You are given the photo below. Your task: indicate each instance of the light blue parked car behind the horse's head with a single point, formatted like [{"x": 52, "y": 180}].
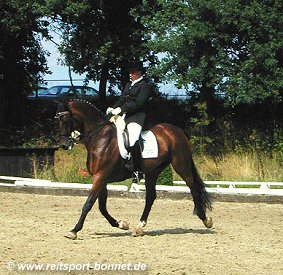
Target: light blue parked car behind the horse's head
[{"x": 67, "y": 92}]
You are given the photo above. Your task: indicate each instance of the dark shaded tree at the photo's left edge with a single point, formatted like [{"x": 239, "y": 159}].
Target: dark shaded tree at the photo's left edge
[{"x": 21, "y": 56}]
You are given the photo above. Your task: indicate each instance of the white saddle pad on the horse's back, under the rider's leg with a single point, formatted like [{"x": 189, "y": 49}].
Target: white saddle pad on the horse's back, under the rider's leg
[{"x": 149, "y": 140}]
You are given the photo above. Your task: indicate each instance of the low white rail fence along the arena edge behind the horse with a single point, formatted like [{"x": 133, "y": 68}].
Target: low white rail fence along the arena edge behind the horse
[{"x": 219, "y": 187}]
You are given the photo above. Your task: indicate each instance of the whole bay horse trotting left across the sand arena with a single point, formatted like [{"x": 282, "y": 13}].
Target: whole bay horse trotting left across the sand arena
[{"x": 81, "y": 120}]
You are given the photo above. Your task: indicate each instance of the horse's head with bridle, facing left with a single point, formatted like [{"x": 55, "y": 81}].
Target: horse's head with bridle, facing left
[{"x": 70, "y": 127}]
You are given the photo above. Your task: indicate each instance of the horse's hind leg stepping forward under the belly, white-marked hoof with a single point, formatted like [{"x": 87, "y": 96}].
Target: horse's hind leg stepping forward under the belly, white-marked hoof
[{"x": 150, "y": 181}]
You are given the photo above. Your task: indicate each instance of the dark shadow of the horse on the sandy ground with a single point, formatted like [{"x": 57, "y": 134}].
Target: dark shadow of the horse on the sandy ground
[{"x": 153, "y": 233}]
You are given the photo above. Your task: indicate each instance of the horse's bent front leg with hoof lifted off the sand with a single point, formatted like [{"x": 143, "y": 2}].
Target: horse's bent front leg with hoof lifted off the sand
[{"x": 102, "y": 200}]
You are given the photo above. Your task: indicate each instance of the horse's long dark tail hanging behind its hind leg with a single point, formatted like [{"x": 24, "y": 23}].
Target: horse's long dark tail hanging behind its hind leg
[{"x": 201, "y": 198}]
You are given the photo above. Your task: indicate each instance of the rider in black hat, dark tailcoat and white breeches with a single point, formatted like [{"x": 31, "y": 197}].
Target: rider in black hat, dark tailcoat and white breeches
[{"x": 133, "y": 103}]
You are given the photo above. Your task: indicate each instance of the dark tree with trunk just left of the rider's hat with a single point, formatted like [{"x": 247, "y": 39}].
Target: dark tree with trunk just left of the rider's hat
[{"x": 99, "y": 37}]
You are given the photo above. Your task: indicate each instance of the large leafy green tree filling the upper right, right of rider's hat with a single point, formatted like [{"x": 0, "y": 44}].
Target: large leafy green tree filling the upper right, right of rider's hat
[{"x": 209, "y": 47}]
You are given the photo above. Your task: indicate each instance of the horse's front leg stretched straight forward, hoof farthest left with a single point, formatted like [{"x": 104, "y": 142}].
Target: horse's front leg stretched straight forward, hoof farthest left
[{"x": 94, "y": 193}]
